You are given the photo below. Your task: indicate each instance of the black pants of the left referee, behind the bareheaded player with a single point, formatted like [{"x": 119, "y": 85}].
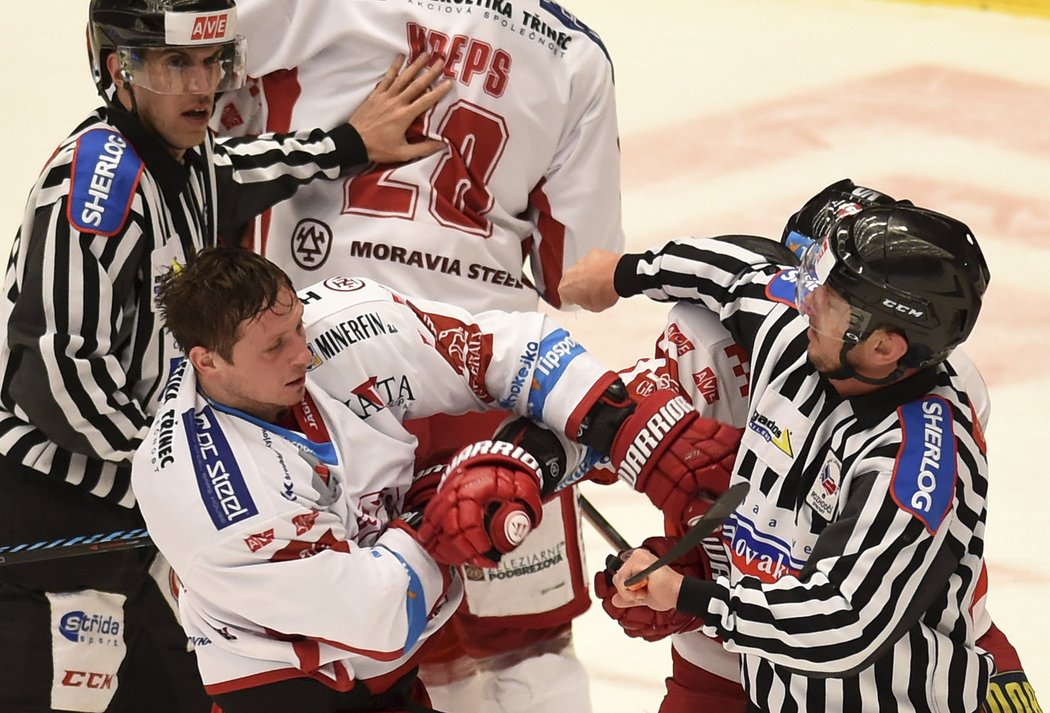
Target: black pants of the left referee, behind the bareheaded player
[{"x": 158, "y": 674}]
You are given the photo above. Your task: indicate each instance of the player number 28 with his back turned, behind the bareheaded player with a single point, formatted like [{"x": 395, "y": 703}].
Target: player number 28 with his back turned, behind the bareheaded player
[{"x": 531, "y": 183}]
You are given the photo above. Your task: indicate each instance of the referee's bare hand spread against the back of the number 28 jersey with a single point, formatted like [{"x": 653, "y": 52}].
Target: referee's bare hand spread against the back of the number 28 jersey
[{"x": 401, "y": 97}]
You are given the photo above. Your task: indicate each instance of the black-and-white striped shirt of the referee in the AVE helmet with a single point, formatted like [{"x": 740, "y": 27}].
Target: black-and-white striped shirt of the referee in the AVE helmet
[{"x": 83, "y": 352}]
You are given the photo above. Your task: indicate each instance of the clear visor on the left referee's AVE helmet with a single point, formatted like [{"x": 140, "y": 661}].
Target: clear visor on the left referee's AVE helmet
[{"x": 201, "y": 70}]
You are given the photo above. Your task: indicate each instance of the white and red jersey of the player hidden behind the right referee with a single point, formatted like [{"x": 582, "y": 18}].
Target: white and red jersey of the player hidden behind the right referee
[{"x": 699, "y": 358}]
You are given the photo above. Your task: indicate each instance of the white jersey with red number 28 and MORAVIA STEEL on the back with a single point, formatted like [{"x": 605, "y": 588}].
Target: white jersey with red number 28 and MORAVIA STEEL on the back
[{"x": 532, "y": 170}]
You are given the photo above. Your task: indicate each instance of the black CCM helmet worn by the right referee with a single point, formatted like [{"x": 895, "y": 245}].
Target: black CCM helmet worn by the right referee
[{"x": 912, "y": 270}]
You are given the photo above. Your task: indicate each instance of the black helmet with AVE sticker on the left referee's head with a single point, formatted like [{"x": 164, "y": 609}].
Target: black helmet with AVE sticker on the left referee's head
[{"x": 144, "y": 25}]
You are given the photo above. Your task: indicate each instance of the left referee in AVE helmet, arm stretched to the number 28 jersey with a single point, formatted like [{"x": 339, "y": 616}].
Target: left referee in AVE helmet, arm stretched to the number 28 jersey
[{"x": 138, "y": 184}]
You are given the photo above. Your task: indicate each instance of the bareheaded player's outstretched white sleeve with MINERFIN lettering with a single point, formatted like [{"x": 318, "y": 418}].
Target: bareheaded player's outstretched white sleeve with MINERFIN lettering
[{"x": 376, "y": 350}]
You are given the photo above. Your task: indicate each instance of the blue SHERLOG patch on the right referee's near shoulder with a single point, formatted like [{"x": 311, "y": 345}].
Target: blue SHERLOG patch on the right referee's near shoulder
[{"x": 925, "y": 476}]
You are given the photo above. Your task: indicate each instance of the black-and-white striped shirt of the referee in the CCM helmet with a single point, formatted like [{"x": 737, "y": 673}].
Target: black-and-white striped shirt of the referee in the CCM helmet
[{"x": 856, "y": 556}]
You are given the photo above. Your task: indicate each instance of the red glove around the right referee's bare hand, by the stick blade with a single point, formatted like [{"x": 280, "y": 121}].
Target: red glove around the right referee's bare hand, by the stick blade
[{"x": 643, "y": 622}]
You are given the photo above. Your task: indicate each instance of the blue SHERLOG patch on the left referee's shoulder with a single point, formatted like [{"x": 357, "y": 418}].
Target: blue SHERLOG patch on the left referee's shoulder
[{"x": 104, "y": 178}]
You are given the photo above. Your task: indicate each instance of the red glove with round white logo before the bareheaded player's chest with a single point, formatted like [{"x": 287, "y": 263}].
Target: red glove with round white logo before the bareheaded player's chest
[{"x": 488, "y": 502}]
